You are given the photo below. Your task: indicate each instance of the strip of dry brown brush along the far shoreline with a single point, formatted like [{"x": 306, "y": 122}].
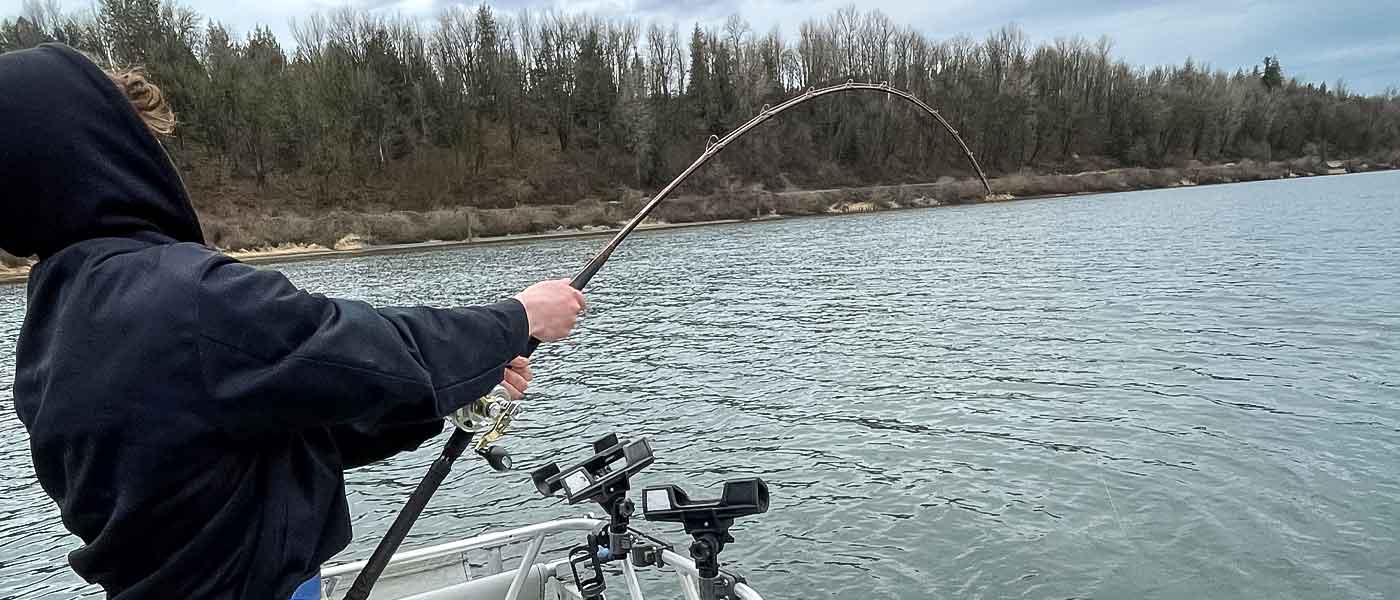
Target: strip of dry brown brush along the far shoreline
[{"x": 246, "y": 229}]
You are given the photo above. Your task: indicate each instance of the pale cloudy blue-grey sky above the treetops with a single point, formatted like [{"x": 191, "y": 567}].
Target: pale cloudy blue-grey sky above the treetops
[{"x": 1317, "y": 41}]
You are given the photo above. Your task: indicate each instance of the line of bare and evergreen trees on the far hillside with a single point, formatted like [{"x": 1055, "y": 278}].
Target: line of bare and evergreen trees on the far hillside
[{"x": 486, "y": 108}]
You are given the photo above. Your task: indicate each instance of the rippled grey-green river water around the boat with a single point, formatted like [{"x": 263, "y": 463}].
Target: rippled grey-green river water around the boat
[{"x": 1175, "y": 395}]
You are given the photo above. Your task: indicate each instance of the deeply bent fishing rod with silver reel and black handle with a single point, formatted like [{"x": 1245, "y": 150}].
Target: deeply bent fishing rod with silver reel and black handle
[{"x": 491, "y": 417}]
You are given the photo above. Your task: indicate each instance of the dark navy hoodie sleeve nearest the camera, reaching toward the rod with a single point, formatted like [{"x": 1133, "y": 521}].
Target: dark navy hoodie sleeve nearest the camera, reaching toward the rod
[{"x": 276, "y": 359}]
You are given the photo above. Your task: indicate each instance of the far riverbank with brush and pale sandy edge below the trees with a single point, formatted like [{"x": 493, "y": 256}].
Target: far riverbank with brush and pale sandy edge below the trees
[{"x": 293, "y": 238}]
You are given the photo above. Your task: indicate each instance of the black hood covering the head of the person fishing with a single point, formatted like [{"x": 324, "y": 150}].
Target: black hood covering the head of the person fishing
[{"x": 76, "y": 162}]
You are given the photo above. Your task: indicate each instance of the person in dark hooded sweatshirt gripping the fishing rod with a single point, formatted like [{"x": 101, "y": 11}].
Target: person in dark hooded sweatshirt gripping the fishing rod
[{"x": 194, "y": 416}]
